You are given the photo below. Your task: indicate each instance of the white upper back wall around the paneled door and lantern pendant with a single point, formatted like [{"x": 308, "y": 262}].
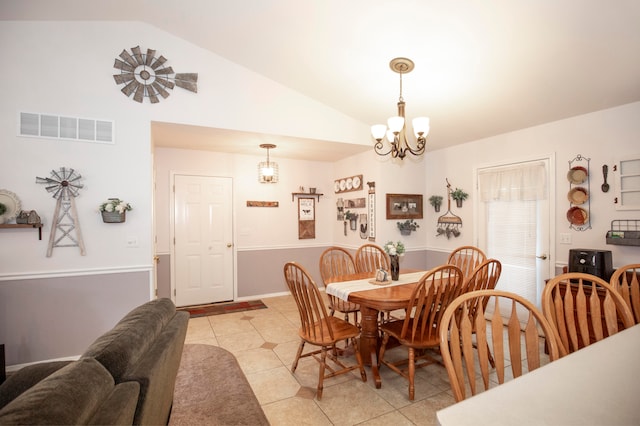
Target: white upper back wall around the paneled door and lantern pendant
[{"x": 255, "y": 227}]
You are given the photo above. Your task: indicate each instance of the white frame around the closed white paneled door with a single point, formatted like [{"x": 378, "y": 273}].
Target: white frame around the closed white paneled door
[{"x": 172, "y": 228}]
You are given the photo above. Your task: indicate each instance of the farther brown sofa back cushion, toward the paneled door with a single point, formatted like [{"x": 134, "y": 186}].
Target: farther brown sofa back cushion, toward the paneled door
[{"x": 132, "y": 336}]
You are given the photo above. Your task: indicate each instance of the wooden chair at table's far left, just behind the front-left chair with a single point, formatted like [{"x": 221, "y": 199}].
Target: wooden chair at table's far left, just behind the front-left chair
[{"x": 336, "y": 262}]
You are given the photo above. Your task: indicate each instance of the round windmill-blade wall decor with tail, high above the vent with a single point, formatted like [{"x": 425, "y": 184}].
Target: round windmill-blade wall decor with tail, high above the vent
[{"x": 146, "y": 76}]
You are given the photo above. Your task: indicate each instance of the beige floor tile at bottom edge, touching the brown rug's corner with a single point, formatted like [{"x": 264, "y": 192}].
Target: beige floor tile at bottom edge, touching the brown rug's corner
[{"x": 294, "y": 412}]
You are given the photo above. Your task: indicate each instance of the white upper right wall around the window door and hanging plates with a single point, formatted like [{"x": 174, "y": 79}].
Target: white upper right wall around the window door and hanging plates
[{"x": 602, "y": 136}]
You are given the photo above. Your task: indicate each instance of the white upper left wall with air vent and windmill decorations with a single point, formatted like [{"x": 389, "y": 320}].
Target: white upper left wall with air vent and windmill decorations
[{"x": 66, "y": 68}]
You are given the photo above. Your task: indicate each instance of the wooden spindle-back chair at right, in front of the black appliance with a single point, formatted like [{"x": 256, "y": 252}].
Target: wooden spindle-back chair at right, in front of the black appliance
[{"x": 583, "y": 309}]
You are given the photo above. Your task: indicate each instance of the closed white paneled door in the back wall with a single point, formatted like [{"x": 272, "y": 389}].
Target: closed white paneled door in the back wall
[{"x": 203, "y": 240}]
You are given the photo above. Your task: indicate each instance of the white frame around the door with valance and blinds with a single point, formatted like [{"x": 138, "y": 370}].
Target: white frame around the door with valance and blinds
[{"x": 551, "y": 158}]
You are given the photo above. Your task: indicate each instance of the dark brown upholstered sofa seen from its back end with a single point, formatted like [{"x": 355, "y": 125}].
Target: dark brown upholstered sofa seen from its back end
[{"x": 127, "y": 376}]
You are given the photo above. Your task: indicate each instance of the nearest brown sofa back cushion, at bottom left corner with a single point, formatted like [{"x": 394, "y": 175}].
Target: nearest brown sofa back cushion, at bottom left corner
[{"x": 73, "y": 395}]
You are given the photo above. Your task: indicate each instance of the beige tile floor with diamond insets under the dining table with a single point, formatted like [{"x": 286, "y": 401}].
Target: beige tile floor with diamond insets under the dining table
[{"x": 265, "y": 343}]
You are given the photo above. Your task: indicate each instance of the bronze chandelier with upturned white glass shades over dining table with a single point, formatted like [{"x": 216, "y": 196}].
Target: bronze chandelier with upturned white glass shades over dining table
[{"x": 396, "y": 131}]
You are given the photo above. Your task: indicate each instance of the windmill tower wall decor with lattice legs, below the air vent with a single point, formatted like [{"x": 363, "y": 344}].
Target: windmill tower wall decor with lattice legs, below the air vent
[{"x": 64, "y": 185}]
